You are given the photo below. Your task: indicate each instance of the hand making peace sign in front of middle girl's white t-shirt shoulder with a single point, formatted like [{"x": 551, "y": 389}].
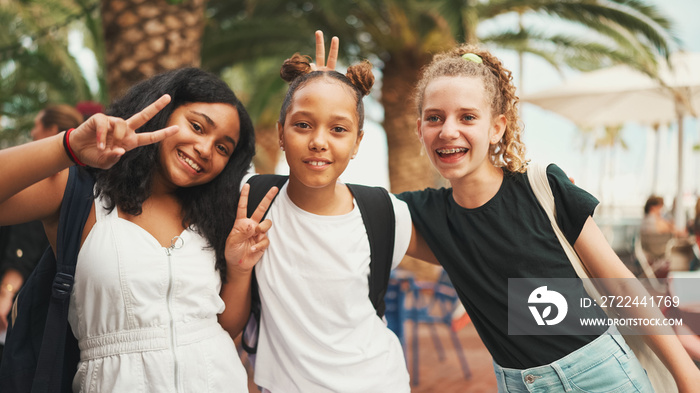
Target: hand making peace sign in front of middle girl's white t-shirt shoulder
[{"x": 248, "y": 238}]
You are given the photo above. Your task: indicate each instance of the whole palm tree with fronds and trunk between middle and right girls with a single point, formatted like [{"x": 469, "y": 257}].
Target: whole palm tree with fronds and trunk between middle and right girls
[{"x": 401, "y": 37}]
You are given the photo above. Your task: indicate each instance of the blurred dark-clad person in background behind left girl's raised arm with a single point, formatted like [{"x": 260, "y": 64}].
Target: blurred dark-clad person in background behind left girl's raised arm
[{"x": 21, "y": 246}]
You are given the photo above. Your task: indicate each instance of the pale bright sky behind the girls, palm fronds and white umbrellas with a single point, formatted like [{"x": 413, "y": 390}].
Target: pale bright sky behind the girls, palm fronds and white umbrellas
[{"x": 625, "y": 182}]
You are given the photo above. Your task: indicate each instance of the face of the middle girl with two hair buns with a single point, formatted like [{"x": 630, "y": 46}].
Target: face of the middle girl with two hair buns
[{"x": 320, "y": 133}]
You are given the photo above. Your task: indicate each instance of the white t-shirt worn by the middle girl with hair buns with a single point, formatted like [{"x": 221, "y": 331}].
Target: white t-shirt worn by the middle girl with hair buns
[{"x": 319, "y": 330}]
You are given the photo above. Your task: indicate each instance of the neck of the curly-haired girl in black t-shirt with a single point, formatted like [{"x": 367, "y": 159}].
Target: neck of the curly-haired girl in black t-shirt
[{"x": 478, "y": 188}]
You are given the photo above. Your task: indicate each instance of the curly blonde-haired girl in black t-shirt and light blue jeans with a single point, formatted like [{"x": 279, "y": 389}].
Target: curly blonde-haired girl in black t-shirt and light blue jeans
[{"x": 489, "y": 227}]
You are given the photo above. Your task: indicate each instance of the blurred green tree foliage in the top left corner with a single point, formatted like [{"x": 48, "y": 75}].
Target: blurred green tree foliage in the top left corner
[{"x": 35, "y": 63}]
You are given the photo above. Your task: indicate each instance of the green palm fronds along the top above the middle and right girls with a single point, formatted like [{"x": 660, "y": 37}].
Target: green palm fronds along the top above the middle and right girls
[{"x": 582, "y": 34}]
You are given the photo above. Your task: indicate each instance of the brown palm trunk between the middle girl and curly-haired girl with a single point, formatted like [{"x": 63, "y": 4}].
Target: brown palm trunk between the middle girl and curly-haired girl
[{"x": 409, "y": 167}]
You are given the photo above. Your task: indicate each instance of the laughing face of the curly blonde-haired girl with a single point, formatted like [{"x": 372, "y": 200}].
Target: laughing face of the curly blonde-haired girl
[{"x": 457, "y": 127}]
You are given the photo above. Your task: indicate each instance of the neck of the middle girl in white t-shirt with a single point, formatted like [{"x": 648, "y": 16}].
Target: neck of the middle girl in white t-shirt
[{"x": 331, "y": 200}]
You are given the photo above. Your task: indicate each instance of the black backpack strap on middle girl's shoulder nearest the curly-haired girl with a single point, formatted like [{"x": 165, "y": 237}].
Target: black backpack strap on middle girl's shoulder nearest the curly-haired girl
[{"x": 380, "y": 222}]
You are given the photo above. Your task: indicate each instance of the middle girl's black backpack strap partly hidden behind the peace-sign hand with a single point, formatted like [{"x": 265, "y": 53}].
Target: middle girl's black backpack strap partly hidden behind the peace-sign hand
[{"x": 259, "y": 186}]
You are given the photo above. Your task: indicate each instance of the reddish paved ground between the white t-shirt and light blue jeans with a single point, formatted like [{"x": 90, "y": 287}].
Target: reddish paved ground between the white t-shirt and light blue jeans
[{"x": 446, "y": 376}]
